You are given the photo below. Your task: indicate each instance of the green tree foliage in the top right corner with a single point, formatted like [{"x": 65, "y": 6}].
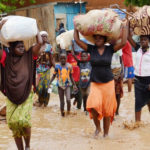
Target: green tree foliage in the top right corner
[{"x": 137, "y": 2}]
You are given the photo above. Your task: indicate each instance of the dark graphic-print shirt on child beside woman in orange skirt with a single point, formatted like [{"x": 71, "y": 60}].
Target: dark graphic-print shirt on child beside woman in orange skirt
[{"x": 85, "y": 72}]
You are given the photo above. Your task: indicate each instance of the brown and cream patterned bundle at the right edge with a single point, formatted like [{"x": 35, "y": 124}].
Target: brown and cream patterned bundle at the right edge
[{"x": 140, "y": 23}]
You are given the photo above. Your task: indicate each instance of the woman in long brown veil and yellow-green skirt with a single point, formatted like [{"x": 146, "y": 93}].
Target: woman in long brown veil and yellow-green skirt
[{"x": 17, "y": 86}]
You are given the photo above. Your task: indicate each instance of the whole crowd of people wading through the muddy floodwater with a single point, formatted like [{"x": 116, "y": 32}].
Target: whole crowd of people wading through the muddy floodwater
[{"x": 94, "y": 76}]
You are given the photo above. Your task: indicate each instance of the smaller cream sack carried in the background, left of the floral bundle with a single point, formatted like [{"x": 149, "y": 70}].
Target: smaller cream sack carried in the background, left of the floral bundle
[{"x": 65, "y": 39}]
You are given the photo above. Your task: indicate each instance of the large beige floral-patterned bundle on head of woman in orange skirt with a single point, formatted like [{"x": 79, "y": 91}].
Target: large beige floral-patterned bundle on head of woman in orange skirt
[{"x": 103, "y": 22}]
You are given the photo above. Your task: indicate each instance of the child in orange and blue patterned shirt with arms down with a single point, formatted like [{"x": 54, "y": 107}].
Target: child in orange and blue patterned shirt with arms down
[{"x": 63, "y": 71}]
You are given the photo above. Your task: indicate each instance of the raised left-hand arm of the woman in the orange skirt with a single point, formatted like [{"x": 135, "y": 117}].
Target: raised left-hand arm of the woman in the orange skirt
[{"x": 78, "y": 41}]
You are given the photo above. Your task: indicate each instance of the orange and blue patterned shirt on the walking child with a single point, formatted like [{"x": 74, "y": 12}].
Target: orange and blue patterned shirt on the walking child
[{"x": 63, "y": 75}]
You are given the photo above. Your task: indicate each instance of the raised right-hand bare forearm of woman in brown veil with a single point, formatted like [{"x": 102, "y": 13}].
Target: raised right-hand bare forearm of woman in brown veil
[{"x": 37, "y": 46}]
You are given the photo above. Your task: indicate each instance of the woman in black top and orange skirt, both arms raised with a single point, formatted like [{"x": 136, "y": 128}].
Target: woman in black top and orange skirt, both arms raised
[{"x": 101, "y": 102}]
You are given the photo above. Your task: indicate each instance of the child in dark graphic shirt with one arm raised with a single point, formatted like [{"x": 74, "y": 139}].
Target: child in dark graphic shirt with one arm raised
[{"x": 85, "y": 72}]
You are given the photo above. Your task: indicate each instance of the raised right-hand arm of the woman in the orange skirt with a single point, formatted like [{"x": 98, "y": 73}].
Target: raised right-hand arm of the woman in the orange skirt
[{"x": 124, "y": 36}]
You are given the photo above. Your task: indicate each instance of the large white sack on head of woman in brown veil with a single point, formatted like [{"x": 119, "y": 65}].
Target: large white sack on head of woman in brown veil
[{"x": 18, "y": 28}]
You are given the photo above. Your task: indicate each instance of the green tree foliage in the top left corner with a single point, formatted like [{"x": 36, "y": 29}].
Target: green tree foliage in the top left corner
[{"x": 9, "y": 5}]
